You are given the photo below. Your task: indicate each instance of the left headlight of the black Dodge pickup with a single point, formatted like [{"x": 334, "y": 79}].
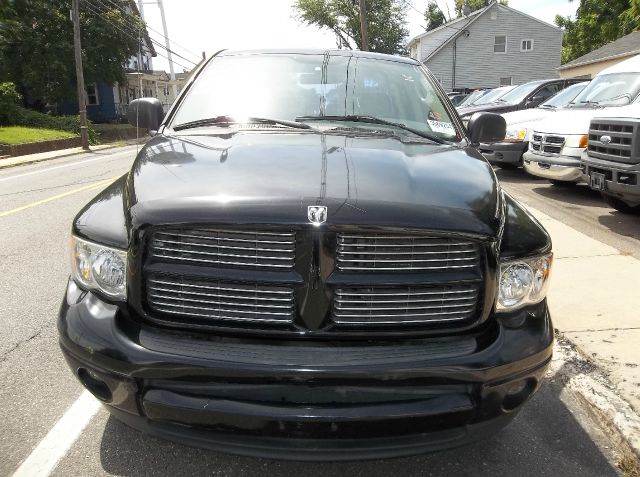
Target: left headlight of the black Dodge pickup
[{"x": 96, "y": 267}]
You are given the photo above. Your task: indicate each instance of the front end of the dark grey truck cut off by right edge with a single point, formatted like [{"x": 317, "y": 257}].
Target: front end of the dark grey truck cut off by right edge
[{"x": 612, "y": 165}]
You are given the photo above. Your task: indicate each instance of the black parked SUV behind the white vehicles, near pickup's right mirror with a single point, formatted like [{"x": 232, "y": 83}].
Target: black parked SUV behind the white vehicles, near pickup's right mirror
[{"x": 528, "y": 95}]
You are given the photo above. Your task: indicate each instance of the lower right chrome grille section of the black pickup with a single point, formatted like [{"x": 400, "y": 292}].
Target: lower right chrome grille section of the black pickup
[{"x": 405, "y": 305}]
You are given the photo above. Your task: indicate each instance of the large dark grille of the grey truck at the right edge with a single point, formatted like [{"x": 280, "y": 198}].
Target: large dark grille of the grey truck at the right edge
[{"x": 619, "y": 143}]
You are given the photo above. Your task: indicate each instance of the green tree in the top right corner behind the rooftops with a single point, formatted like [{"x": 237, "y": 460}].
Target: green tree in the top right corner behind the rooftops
[{"x": 597, "y": 23}]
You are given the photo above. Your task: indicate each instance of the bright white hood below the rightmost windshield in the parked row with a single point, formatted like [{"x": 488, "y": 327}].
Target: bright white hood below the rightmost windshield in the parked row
[{"x": 576, "y": 121}]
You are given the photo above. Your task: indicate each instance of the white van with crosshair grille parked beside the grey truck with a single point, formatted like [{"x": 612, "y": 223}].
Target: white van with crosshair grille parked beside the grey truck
[{"x": 557, "y": 142}]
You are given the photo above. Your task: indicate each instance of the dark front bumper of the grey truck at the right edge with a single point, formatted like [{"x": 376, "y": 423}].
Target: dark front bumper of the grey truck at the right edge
[{"x": 620, "y": 180}]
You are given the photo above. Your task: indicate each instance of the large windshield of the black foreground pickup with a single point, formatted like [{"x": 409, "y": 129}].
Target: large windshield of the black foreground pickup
[{"x": 324, "y": 90}]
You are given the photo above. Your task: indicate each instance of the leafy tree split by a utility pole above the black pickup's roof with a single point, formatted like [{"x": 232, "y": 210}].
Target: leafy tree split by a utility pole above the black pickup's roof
[{"x": 385, "y": 18}]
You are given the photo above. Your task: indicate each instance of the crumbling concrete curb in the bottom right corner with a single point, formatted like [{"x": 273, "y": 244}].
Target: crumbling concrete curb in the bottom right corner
[{"x": 590, "y": 385}]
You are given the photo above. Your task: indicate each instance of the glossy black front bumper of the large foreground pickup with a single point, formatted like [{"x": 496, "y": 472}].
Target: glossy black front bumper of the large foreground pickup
[{"x": 306, "y": 401}]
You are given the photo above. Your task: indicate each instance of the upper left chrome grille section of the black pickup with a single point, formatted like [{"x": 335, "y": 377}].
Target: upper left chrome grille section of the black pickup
[{"x": 260, "y": 250}]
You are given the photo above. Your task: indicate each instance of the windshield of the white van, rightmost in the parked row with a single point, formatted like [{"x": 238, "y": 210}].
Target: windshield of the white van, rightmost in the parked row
[{"x": 616, "y": 89}]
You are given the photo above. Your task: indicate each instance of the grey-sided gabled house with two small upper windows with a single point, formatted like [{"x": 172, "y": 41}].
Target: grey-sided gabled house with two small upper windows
[{"x": 494, "y": 46}]
